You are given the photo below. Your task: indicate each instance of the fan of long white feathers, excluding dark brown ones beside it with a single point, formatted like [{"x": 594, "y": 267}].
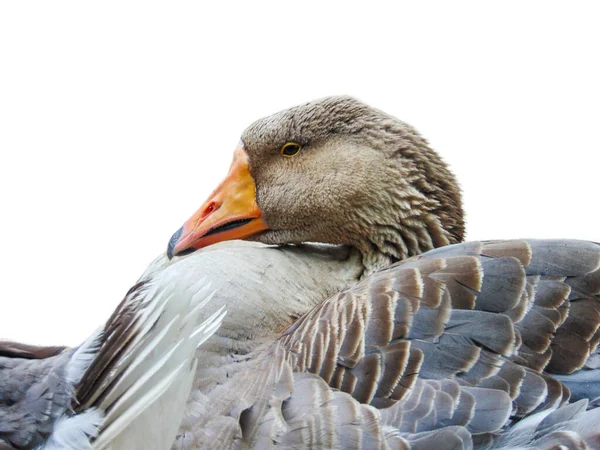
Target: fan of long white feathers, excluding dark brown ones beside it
[{"x": 147, "y": 402}]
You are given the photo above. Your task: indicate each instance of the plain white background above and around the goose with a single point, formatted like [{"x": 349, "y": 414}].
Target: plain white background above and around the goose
[{"x": 117, "y": 119}]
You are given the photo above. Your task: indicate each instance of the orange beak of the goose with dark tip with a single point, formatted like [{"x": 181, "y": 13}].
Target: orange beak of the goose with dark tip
[{"x": 231, "y": 212}]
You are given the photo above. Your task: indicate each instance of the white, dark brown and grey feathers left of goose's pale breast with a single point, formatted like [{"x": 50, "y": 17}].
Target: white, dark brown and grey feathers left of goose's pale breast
[{"x": 123, "y": 388}]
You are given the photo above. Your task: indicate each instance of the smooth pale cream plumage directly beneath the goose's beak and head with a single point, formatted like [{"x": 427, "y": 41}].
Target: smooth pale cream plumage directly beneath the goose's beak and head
[{"x": 251, "y": 278}]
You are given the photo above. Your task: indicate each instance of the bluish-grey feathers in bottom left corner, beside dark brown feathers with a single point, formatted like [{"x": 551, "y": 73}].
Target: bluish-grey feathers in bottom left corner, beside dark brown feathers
[{"x": 36, "y": 392}]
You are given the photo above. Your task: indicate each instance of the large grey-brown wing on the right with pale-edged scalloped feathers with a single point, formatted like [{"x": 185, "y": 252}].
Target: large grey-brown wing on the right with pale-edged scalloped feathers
[{"x": 451, "y": 349}]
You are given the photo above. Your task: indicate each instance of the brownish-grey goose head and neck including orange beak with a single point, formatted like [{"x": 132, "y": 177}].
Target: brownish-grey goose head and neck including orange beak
[{"x": 334, "y": 171}]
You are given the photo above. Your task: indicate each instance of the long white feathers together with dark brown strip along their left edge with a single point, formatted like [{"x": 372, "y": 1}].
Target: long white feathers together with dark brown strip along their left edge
[{"x": 146, "y": 362}]
